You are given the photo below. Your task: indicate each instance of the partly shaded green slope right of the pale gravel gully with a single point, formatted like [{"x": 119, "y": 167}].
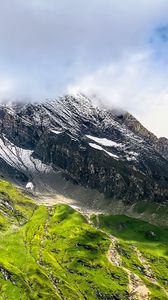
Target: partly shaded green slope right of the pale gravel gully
[{"x": 139, "y": 241}]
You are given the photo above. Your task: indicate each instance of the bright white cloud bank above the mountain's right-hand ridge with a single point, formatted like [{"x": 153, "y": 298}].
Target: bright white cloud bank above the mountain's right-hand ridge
[{"x": 134, "y": 83}]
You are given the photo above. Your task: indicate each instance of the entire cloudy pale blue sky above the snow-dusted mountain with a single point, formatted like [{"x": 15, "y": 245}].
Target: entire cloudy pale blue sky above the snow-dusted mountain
[{"x": 114, "y": 49}]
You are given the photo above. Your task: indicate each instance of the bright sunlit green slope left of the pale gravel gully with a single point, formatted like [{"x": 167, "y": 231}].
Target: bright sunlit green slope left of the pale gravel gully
[{"x": 53, "y": 253}]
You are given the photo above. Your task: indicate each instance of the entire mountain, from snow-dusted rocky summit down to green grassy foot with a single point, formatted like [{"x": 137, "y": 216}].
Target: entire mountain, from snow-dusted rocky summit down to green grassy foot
[{"x": 107, "y": 167}]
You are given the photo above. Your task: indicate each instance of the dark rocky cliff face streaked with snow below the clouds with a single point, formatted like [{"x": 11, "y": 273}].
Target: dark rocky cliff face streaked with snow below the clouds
[{"x": 115, "y": 155}]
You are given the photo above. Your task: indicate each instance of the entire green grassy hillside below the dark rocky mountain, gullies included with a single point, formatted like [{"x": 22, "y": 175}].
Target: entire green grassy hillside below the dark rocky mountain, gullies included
[{"x": 54, "y": 253}]
